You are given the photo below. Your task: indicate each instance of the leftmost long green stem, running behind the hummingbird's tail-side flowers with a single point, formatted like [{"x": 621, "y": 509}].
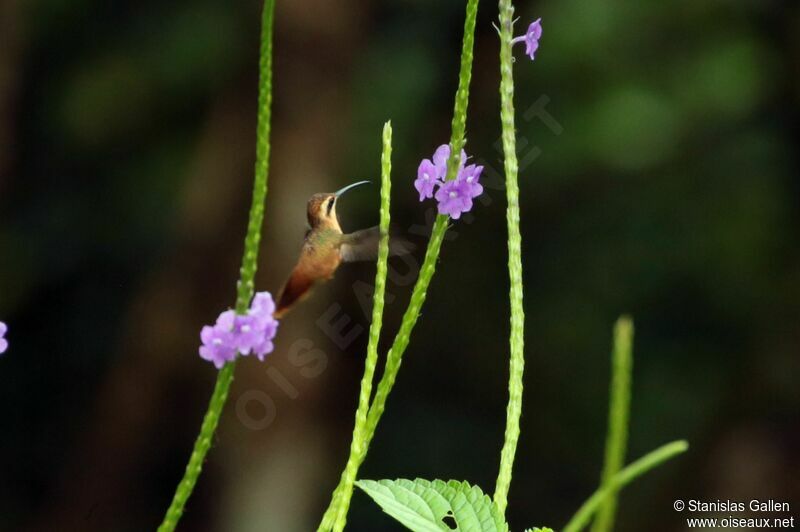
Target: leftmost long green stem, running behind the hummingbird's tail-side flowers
[{"x": 246, "y": 285}]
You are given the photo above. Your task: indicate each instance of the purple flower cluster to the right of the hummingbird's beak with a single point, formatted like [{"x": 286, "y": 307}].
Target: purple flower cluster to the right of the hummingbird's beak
[{"x": 454, "y": 196}]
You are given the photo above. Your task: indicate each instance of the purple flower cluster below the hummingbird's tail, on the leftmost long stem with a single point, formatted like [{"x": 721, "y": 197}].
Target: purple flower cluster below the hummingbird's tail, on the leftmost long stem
[{"x": 249, "y": 333}]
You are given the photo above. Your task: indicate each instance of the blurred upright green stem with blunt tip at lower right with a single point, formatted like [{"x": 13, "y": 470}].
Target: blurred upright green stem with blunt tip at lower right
[{"x": 618, "y": 414}]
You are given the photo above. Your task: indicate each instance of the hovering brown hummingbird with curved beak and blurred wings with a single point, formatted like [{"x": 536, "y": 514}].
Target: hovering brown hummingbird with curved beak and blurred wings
[{"x": 325, "y": 247}]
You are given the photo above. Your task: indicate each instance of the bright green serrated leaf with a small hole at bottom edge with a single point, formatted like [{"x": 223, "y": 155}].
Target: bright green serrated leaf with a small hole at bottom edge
[{"x": 436, "y": 506}]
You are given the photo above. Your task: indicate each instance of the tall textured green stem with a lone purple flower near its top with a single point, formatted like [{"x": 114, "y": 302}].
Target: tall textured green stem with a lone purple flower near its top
[{"x": 516, "y": 338}]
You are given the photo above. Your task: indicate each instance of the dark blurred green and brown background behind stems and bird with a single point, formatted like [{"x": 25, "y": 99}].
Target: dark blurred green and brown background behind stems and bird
[{"x": 659, "y": 159}]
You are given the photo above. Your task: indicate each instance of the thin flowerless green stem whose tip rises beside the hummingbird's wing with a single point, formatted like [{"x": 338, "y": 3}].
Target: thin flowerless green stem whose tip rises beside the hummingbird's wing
[{"x": 358, "y": 446}]
